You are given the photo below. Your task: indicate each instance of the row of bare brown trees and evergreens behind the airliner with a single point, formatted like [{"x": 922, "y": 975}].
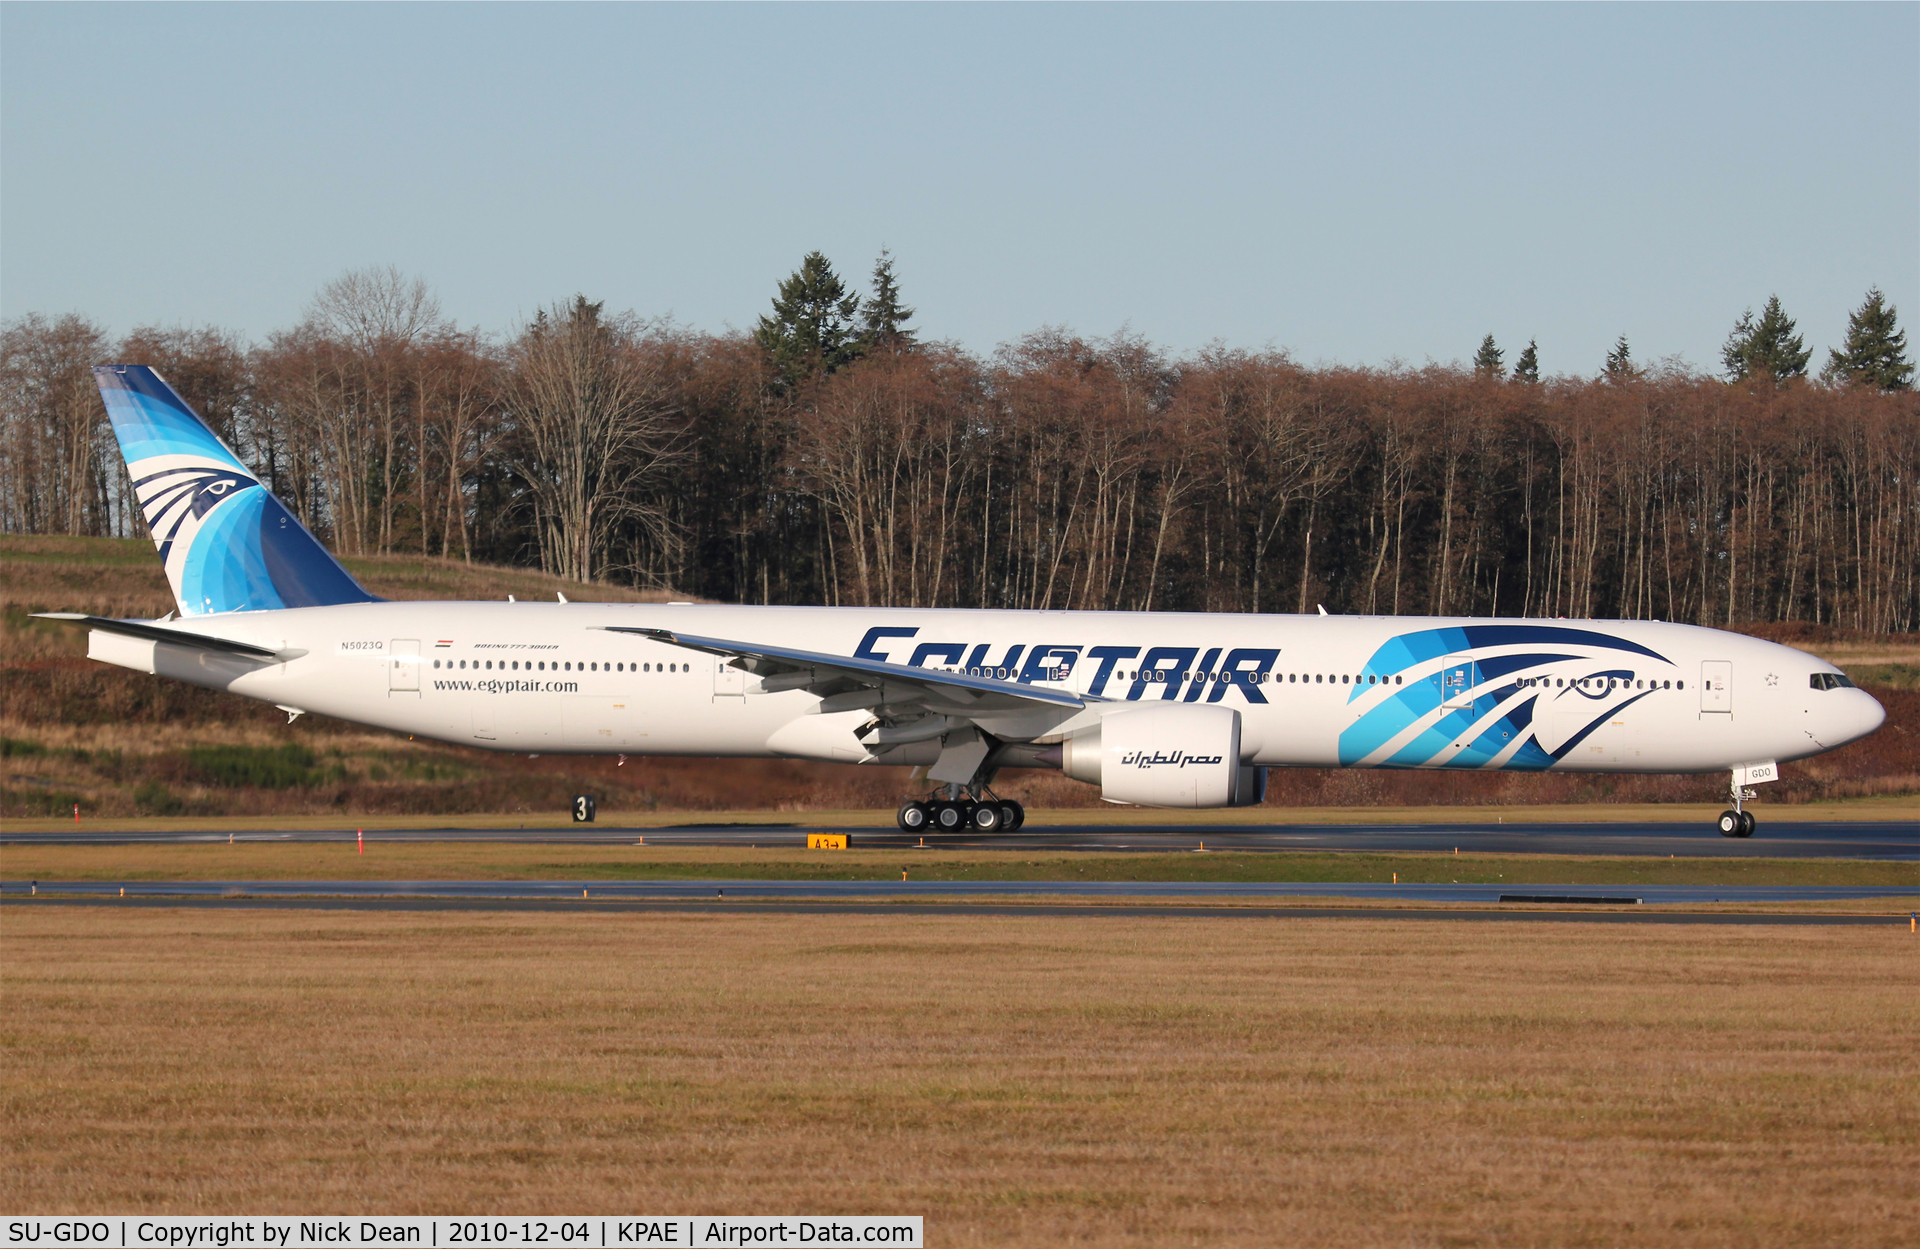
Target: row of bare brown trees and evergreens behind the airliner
[{"x": 836, "y": 456}]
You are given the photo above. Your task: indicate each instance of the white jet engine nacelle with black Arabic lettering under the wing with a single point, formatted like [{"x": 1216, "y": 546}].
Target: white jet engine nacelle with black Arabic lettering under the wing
[{"x": 1170, "y": 755}]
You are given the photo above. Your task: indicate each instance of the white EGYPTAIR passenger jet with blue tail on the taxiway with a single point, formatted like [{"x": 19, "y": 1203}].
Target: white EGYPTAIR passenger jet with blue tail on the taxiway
[{"x": 1155, "y": 709}]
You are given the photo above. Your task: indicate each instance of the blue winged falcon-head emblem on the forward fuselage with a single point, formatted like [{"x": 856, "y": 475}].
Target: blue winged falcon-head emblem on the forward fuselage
[{"x": 1487, "y": 726}]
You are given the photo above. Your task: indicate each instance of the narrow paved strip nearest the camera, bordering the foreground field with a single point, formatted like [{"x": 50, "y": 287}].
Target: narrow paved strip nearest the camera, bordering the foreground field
[{"x": 948, "y": 891}]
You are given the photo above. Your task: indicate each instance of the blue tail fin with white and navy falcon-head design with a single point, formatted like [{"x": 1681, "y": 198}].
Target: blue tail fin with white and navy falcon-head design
[{"x": 228, "y": 544}]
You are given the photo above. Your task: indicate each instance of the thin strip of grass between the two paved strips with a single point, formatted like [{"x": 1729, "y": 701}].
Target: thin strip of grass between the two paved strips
[{"x": 523, "y": 862}]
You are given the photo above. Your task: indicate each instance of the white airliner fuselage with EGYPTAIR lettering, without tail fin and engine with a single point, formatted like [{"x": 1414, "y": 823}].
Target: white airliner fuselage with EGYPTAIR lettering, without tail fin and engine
[{"x": 1312, "y": 692}]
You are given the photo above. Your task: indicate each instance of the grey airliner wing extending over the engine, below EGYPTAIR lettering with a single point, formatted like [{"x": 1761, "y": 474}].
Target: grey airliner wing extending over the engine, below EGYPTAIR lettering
[{"x": 848, "y": 684}]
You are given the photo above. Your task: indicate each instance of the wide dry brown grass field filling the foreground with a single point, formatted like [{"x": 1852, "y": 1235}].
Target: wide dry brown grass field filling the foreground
[{"x": 1019, "y": 1081}]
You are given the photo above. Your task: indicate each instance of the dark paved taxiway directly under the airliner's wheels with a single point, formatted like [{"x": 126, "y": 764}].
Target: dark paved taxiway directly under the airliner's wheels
[{"x": 1781, "y": 839}]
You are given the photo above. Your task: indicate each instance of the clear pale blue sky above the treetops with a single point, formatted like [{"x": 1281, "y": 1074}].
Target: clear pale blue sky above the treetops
[{"x": 1353, "y": 183}]
